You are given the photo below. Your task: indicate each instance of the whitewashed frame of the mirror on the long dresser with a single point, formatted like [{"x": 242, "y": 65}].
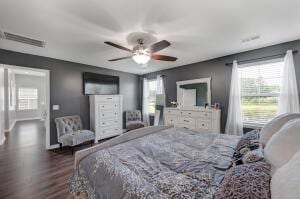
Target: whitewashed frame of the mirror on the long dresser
[{"x": 193, "y": 81}]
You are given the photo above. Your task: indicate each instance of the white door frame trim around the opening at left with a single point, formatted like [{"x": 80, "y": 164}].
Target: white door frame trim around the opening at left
[{"x": 47, "y": 78}]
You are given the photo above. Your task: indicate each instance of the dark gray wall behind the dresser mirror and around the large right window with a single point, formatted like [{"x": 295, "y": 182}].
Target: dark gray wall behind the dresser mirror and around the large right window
[{"x": 221, "y": 74}]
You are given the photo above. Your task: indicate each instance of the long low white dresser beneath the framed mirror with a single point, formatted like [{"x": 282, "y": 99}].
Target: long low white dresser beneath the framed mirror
[{"x": 194, "y": 119}]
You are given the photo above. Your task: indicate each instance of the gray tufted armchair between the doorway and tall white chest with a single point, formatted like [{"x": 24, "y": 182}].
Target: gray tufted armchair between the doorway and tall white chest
[{"x": 70, "y": 133}]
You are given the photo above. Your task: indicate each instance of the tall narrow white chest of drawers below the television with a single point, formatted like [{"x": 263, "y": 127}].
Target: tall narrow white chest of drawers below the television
[{"x": 106, "y": 116}]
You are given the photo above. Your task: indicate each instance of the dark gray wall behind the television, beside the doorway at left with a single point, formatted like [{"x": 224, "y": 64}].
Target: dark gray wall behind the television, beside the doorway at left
[{"x": 66, "y": 85}]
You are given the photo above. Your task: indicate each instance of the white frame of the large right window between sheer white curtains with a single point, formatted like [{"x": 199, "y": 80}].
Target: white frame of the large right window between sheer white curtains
[{"x": 252, "y": 64}]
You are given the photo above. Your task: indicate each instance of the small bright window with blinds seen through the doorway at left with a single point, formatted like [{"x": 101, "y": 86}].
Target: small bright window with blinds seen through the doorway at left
[{"x": 28, "y": 98}]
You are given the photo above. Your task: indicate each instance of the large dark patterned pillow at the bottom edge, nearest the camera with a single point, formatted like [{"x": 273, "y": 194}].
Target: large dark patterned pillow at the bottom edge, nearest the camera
[{"x": 246, "y": 181}]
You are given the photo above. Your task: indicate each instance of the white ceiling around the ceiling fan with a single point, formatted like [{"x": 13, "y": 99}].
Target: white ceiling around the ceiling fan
[{"x": 198, "y": 30}]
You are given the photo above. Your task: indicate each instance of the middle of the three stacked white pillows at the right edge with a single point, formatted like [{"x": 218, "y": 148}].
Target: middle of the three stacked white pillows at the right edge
[{"x": 283, "y": 145}]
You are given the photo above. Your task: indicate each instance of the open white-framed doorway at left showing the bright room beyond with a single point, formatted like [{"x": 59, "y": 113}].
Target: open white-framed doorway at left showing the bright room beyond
[{"x": 27, "y": 103}]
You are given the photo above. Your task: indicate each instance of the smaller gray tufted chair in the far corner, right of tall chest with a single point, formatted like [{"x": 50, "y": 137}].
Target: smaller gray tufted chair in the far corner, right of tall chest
[{"x": 134, "y": 120}]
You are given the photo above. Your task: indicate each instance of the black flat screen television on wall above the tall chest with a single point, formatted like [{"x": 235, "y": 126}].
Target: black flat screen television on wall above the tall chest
[{"x": 98, "y": 84}]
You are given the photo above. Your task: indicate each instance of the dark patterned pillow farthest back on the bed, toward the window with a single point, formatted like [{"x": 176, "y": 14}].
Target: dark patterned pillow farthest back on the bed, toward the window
[{"x": 248, "y": 142}]
